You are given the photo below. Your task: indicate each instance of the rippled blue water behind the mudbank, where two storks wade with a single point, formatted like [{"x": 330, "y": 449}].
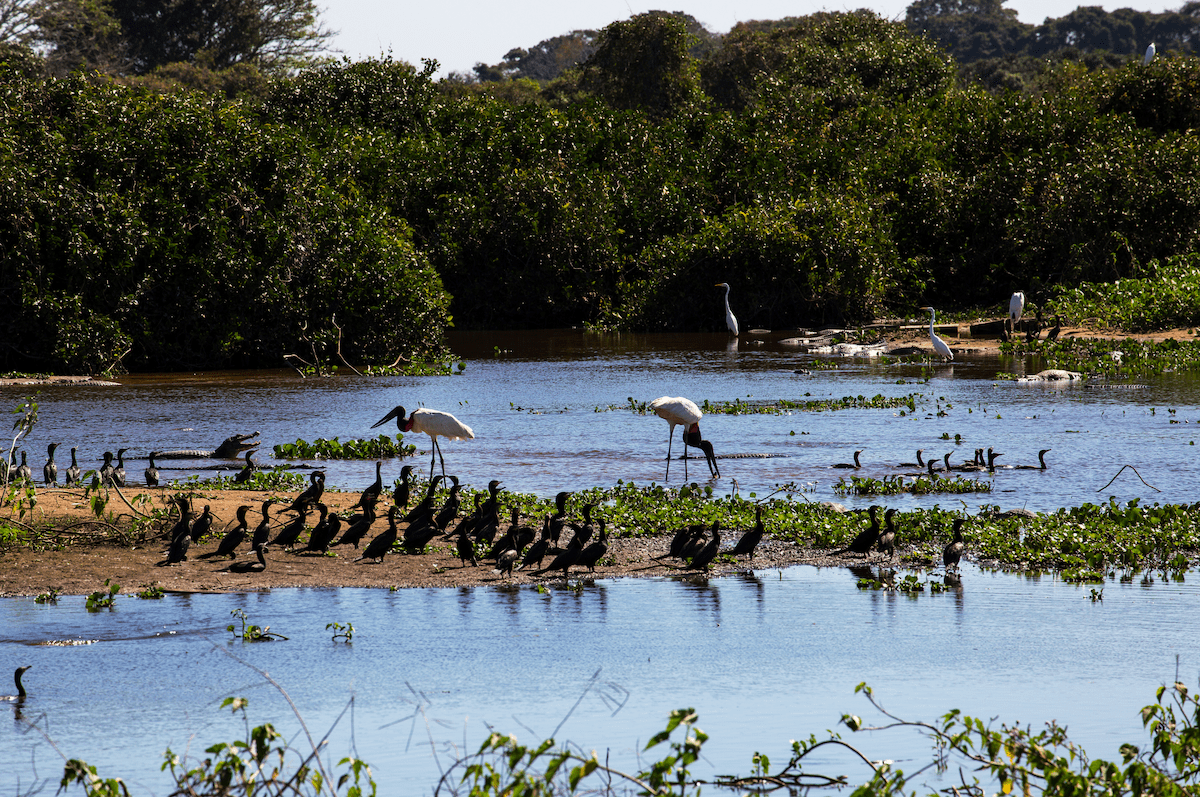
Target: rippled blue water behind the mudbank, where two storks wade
[{"x": 549, "y": 410}]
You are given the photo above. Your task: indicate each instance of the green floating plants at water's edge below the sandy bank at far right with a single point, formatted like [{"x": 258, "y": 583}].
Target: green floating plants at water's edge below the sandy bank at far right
[{"x": 1113, "y": 358}]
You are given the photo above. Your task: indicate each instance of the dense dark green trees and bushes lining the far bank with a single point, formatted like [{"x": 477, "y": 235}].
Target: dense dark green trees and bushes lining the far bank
[{"x": 219, "y": 191}]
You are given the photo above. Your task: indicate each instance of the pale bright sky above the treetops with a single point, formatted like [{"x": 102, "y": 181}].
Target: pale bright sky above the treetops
[{"x": 465, "y": 33}]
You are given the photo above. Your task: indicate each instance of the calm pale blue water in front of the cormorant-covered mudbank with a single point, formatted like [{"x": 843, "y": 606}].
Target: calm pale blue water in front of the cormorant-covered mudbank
[{"x": 764, "y": 658}]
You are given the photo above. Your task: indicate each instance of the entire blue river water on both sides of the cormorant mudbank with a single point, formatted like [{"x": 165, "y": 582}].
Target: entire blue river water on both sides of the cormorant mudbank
[{"x": 764, "y": 657}]
